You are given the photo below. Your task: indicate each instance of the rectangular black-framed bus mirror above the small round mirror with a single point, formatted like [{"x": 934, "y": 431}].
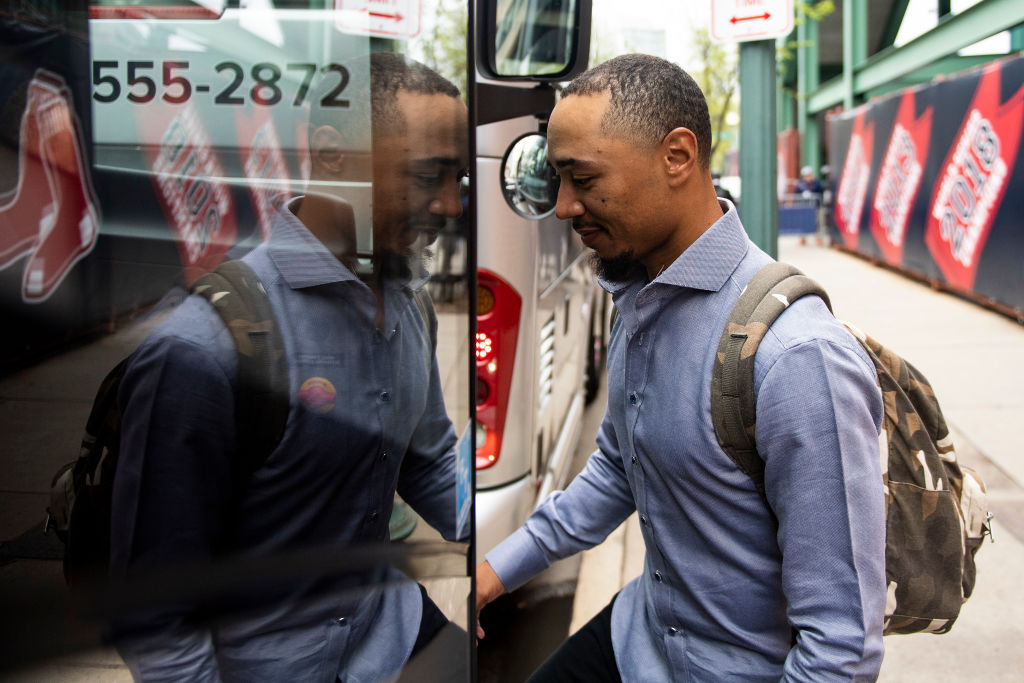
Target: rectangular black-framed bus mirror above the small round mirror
[{"x": 533, "y": 40}]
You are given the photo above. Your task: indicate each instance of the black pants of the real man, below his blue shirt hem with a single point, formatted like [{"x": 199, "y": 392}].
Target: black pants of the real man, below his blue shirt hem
[{"x": 586, "y": 657}]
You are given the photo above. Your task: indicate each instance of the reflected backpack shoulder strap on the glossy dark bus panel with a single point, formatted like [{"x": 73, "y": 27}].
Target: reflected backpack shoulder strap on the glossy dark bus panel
[{"x": 262, "y": 396}]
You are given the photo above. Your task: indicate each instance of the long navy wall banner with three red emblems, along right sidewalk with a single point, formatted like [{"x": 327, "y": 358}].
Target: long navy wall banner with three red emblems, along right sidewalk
[{"x": 941, "y": 164}]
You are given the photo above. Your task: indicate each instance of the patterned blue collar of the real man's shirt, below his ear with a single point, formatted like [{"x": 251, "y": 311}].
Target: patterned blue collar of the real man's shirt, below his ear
[{"x": 708, "y": 264}]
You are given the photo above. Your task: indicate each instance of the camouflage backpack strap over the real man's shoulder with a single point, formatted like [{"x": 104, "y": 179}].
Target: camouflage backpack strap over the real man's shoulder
[{"x": 734, "y": 413}]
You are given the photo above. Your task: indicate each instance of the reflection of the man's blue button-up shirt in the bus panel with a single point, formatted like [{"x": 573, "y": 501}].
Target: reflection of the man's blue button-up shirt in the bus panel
[{"x": 367, "y": 418}]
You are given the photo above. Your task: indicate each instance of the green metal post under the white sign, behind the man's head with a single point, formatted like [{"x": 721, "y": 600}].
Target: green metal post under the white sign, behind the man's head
[{"x": 758, "y": 156}]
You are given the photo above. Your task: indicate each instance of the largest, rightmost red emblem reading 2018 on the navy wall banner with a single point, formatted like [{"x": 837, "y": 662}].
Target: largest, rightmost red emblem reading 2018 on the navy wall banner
[{"x": 973, "y": 181}]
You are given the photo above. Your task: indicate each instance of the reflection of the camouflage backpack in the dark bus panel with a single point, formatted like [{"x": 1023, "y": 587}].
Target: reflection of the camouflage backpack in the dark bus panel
[{"x": 81, "y": 491}]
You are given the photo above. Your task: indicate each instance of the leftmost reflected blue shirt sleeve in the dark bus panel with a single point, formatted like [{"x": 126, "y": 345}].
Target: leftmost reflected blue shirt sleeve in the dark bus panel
[{"x": 170, "y": 494}]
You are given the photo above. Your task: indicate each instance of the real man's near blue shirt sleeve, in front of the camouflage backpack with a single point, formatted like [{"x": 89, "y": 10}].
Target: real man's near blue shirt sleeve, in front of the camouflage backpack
[{"x": 819, "y": 417}]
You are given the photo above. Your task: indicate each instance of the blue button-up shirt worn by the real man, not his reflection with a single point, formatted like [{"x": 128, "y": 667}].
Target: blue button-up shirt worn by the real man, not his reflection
[{"x": 726, "y": 587}]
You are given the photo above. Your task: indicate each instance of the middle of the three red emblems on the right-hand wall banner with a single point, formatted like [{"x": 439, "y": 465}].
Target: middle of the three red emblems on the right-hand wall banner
[{"x": 901, "y": 179}]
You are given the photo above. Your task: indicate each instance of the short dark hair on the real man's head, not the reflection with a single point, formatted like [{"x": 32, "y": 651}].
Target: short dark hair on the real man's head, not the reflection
[{"x": 650, "y": 98}]
